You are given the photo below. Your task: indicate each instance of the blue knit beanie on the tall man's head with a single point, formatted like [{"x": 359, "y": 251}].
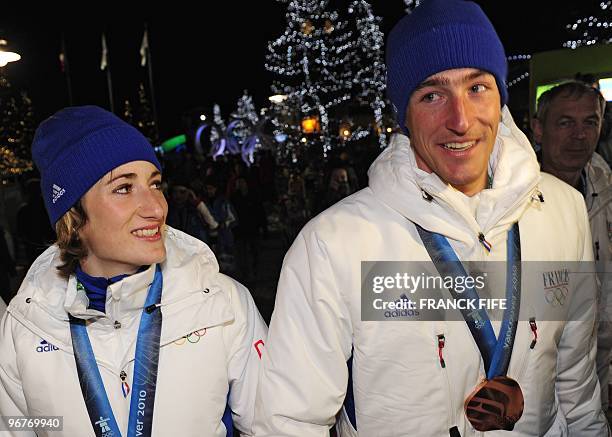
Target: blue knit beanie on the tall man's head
[{"x": 441, "y": 35}]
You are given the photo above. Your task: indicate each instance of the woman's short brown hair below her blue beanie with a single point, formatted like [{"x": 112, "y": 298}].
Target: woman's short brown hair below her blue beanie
[{"x": 72, "y": 249}]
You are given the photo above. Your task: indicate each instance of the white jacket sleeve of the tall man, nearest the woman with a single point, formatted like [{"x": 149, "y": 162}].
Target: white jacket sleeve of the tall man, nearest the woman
[{"x": 304, "y": 374}]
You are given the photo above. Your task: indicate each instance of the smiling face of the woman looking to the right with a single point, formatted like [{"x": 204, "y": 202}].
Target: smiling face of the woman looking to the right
[{"x": 126, "y": 212}]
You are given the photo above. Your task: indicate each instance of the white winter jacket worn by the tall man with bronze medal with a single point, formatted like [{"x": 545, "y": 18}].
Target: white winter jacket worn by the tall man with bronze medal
[{"x": 399, "y": 386}]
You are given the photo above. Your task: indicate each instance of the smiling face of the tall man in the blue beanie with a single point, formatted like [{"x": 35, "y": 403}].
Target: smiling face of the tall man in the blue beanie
[{"x": 453, "y": 117}]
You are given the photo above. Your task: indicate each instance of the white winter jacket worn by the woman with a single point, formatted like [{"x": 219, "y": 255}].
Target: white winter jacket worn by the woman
[{"x": 211, "y": 340}]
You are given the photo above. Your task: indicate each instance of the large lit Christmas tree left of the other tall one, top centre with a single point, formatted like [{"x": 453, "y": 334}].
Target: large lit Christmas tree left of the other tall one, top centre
[{"x": 309, "y": 63}]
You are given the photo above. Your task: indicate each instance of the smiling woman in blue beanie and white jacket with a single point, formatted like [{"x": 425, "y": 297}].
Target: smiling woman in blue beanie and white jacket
[{"x": 125, "y": 326}]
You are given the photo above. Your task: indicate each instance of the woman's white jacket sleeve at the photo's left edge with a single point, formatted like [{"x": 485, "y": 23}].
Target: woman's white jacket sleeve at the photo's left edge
[{"x": 12, "y": 400}]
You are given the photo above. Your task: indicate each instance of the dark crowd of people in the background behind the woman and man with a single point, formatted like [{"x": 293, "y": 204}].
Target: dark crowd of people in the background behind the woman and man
[{"x": 226, "y": 203}]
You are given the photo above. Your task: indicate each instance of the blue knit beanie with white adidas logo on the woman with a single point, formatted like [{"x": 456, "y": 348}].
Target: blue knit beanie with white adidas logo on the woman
[{"x": 75, "y": 147}]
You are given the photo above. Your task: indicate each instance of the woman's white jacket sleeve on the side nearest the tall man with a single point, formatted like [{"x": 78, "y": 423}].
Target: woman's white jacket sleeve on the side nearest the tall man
[{"x": 245, "y": 339}]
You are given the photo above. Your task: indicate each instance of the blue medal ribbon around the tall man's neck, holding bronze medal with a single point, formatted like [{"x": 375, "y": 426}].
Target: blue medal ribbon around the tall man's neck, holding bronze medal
[{"x": 496, "y": 352}]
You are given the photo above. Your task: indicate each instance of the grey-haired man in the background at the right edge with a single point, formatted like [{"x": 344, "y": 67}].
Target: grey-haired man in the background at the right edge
[{"x": 567, "y": 127}]
